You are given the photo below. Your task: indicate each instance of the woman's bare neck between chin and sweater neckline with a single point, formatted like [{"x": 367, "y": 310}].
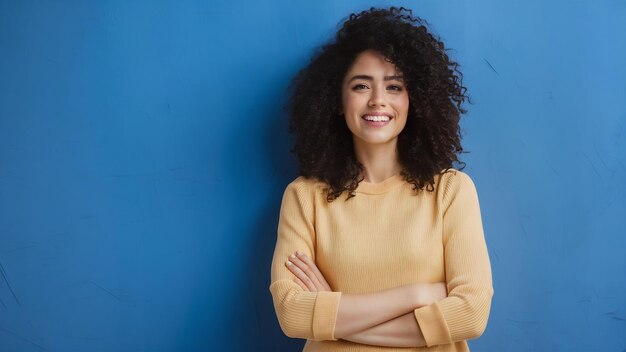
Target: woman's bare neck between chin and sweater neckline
[{"x": 379, "y": 161}]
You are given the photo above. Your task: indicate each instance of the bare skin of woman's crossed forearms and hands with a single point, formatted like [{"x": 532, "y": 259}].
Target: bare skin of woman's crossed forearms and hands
[{"x": 382, "y": 318}]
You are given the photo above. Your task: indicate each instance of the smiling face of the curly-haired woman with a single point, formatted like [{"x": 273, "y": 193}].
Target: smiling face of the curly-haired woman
[{"x": 375, "y": 100}]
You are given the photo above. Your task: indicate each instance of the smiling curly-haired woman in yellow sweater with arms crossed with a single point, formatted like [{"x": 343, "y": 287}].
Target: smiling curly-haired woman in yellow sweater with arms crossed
[{"x": 380, "y": 242}]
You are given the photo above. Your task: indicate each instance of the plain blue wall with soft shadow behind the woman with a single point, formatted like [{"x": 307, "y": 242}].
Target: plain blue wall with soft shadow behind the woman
[{"x": 143, "y": 154}]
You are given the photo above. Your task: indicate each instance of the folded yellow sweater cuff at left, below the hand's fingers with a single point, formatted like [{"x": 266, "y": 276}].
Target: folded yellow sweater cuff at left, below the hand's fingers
[{"x": 325, "y": 315}]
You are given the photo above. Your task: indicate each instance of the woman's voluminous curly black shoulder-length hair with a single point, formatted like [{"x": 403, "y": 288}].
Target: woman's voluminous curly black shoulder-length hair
[{"x": 430, "y": 142}]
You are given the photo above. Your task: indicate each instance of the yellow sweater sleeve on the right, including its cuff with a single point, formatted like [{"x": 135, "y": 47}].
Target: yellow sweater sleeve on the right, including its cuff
[{"x": 463, "y": 314}]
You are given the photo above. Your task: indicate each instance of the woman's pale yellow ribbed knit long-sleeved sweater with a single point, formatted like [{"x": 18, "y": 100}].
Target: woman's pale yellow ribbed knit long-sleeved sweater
[{"x": 388, "y": 235}]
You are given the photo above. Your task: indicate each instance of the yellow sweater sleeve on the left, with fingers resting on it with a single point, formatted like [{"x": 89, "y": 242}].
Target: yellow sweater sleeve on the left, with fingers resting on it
[{"x": 301, "y": 314}]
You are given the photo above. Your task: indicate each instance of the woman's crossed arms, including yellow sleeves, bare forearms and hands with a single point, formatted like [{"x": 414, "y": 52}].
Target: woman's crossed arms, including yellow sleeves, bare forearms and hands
[{"x": 414, "y": 315}]
